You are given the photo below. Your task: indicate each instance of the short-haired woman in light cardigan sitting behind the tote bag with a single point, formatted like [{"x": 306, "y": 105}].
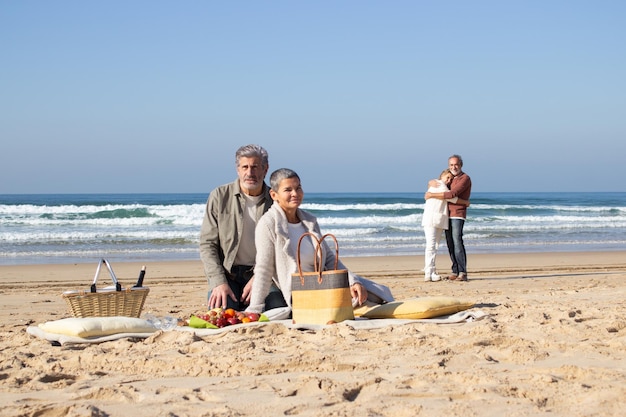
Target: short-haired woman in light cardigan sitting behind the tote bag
[{"x": 276, "y": 237}]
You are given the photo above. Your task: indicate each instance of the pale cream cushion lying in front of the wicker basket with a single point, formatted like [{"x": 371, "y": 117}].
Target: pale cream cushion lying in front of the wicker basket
[{"x": 97, "y": 326}]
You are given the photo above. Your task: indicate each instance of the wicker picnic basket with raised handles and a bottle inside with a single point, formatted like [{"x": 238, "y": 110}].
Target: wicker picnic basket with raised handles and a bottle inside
[{"x": 107, "y": 302}]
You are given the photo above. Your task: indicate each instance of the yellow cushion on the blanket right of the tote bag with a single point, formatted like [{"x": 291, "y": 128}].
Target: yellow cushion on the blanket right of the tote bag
[{"x": 417, "y": 308}]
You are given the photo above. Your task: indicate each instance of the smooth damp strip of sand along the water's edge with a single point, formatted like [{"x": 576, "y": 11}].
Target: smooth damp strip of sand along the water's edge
[{"x": 378, "y": 266}]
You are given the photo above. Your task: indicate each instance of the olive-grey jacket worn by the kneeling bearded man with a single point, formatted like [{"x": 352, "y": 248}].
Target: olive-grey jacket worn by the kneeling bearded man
[{"x": 221, "y": 229}]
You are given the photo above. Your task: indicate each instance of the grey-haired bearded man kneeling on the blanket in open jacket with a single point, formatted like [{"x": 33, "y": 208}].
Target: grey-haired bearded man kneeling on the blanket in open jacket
[{"x": 227, "y": 246}]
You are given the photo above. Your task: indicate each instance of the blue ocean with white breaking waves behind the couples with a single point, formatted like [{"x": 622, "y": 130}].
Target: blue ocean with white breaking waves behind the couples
[{"x": 83, "y": 228}]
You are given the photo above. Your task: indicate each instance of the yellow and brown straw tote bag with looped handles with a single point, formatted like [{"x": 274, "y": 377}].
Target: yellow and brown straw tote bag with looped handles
[{"x": 320, "y": 297}]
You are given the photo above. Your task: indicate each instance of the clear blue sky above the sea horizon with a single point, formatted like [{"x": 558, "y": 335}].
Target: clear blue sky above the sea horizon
[{"x": 155, "y": 96}]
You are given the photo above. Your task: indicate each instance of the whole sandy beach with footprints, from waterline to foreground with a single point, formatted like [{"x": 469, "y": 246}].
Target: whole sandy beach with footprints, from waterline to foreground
[{"x": 554, "y": 343}]
